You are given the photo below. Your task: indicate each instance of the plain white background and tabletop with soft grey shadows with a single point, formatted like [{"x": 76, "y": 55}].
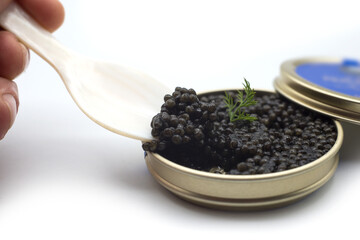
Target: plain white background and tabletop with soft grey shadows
[{"x": 64, "y": 177}]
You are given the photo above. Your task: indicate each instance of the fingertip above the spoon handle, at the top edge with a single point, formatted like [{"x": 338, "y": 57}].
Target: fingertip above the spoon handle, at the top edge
[{"x": 49, "y": 13}]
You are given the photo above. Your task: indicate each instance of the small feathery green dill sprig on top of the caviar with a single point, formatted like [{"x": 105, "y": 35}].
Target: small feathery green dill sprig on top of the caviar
[{"x": 234, "y": 107}]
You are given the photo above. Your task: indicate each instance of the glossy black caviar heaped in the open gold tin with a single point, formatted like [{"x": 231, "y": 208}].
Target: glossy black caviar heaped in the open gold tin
[{"x": 196, "y": 132}]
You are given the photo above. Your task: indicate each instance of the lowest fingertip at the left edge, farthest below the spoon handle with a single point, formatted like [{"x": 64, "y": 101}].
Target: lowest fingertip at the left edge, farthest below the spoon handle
[{"x": 9, "y": 103}]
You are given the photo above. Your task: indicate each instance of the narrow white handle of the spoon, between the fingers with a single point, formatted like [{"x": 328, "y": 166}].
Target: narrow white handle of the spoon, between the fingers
[{"x": 33, "y": 35}]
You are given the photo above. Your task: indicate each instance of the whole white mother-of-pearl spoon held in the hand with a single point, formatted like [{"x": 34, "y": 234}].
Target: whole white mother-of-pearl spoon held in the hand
[{"x": 120, "y": 99}]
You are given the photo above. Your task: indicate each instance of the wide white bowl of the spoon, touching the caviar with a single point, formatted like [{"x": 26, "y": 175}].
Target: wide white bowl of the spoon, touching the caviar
[{"x": 118, "y": 98}]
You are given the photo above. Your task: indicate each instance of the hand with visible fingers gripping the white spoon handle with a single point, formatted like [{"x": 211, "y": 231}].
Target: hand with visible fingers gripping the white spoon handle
[{"x": 14, "y": 56}]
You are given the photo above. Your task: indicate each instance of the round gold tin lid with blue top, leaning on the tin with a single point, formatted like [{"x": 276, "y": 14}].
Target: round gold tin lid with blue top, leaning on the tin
[{"x": 327, "y": 85}]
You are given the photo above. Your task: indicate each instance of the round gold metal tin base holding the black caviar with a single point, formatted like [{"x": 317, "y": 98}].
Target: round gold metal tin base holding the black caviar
[{"x": 245, "y": 192}]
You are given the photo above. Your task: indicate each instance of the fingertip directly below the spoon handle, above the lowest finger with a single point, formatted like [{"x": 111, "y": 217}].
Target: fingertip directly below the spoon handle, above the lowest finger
[{"x": 13, "y": 56}]
